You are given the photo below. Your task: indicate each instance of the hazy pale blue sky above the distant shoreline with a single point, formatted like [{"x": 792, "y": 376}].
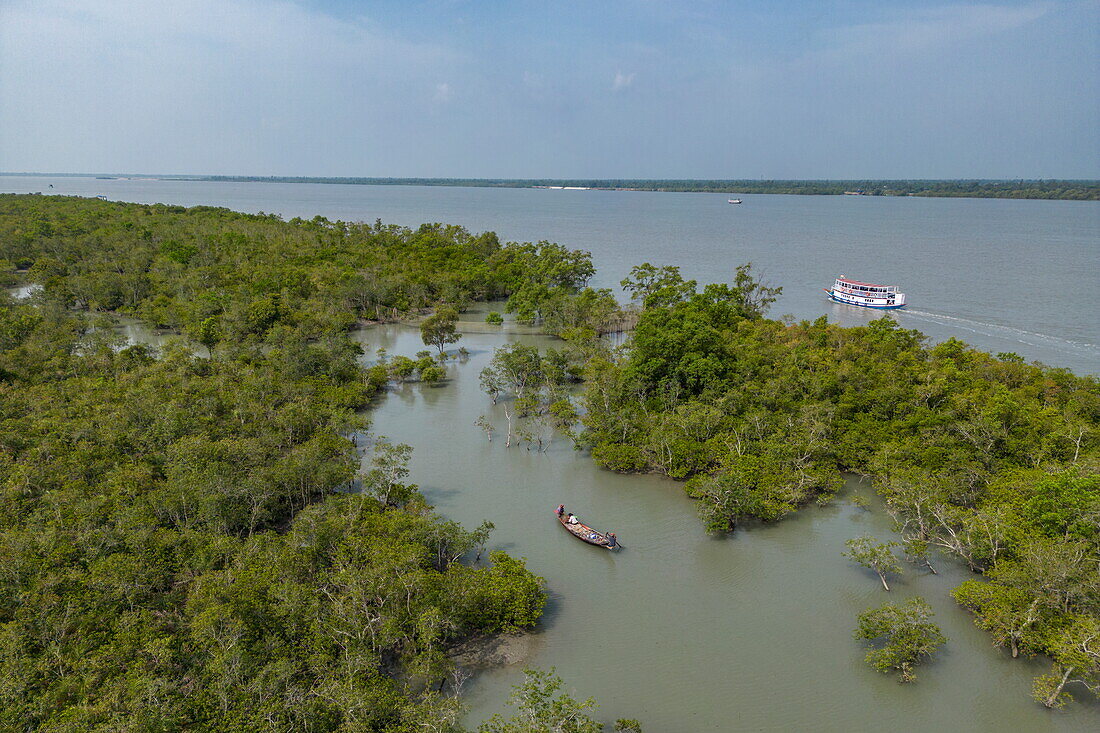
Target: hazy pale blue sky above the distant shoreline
[{"x": 609, "y": 90}]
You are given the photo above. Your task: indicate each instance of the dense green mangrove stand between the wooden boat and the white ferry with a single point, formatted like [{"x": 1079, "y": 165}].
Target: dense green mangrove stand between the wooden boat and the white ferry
[{"x": 986, "y": 457}]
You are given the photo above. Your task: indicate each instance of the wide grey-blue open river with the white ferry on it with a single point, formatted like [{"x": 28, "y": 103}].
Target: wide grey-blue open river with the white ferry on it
[{"x": 1006, "y": 276}]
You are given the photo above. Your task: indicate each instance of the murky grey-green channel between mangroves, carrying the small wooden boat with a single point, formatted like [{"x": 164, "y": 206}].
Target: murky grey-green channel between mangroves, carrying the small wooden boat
[{"x": 684, "y": 631}]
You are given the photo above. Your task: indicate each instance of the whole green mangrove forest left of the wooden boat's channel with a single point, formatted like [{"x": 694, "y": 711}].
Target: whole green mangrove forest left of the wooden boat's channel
[{"x": 180, "y": 546}]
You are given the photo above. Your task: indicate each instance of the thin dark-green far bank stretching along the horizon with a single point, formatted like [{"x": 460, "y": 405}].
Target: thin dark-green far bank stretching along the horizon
[{"x": 1060, "y": 190}]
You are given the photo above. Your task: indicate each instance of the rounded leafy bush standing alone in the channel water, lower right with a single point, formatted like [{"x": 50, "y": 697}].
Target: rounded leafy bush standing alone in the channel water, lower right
[{"x": 909, "y": 637}]
